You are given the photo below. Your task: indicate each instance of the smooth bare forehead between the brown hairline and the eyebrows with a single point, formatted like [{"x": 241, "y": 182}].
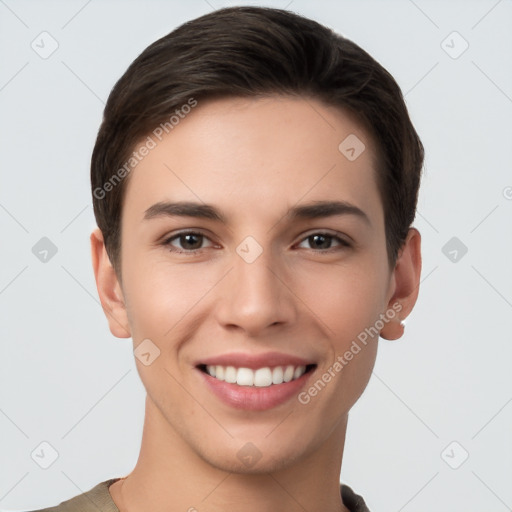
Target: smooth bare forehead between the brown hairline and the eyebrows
[{"x": 257, "y": 156}]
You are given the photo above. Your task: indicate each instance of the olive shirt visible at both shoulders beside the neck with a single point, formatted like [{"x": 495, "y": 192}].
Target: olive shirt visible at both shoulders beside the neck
[{"x": 98, "y": 499}]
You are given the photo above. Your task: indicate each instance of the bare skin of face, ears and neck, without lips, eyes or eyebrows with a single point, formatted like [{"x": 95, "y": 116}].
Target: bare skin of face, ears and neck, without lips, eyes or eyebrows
[{"x": 253, "y": 159}]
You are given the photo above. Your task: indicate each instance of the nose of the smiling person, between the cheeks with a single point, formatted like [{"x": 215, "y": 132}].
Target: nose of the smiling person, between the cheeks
[{"x": 255, "y": 296}]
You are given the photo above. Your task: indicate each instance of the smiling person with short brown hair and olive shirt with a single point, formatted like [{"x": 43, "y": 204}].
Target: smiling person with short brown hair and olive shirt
[{"x": 254, "y": 182}]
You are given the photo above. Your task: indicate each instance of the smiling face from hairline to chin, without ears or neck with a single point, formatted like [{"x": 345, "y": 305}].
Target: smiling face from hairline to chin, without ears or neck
[{"x": 253, "y": 272}]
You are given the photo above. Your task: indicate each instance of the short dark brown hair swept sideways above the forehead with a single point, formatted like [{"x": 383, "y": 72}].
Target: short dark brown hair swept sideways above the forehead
[{"x": 256, "y": 51}]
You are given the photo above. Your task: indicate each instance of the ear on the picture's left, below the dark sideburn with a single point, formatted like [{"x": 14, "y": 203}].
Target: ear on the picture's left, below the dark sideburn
[{"x": 109, "y": 288}]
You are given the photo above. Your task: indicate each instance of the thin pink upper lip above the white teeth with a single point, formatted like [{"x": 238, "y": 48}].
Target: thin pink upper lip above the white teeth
[{"x": 255, "y": 361}]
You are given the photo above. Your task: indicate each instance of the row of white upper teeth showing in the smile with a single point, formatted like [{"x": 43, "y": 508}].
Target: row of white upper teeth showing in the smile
[{"x": 261, "y": 377}]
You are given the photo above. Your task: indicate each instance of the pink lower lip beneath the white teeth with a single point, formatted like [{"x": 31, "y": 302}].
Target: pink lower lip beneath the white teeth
[{"x": 255, "y": 398}]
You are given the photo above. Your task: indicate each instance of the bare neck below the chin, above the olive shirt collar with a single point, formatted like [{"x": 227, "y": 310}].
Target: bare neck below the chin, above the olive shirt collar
[{"x": 169, "y": 471}]
